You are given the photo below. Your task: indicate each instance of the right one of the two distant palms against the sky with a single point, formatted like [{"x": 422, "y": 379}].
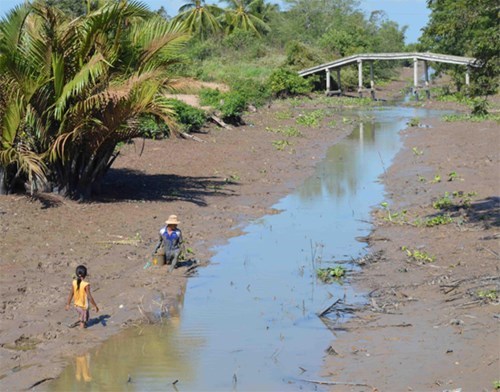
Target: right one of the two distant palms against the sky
[{"x": 239, "y": 16}]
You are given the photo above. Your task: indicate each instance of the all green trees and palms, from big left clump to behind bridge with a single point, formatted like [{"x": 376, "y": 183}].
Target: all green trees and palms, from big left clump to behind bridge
[{"x": 78, "y": 78}]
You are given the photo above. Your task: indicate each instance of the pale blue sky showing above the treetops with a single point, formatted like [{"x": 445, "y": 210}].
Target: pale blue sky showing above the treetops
[{"x": 411, "y": 13}]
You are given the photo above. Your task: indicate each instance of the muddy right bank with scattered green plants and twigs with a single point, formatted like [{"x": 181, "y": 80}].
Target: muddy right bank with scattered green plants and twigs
[{"x": 432, "y": 317}]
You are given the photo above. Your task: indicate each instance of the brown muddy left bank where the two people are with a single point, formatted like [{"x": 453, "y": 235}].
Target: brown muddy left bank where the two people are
[{"x": 214, "y": 187}]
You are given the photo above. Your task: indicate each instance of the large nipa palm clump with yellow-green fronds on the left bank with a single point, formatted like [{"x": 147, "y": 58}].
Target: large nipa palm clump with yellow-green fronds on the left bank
[{"x": 82, "y": 84}]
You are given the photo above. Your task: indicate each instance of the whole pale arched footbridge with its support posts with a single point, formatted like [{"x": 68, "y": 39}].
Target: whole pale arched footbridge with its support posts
[{"x": 468, "y": 62}]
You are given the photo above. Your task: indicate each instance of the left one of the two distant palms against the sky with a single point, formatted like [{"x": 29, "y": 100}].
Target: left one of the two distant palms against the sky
[{"x": 200, "y": 18}]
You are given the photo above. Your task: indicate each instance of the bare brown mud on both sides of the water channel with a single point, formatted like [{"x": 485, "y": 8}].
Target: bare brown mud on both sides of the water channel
[{"x": 451, "y": 337}]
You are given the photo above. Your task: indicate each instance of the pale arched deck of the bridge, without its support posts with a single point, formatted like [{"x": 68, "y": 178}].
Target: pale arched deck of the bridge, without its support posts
[{"x": 442, "y": 58}]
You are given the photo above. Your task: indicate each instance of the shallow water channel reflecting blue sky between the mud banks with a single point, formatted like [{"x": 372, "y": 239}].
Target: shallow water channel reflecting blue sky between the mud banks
[{"x": 249, "y": 320}]
